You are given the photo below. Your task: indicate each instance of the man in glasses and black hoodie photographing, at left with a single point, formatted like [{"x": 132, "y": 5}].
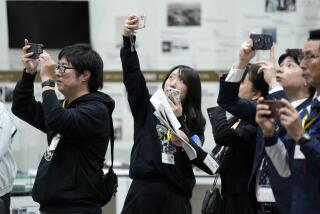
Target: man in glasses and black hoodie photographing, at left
[{"x": 70, "y": 176}]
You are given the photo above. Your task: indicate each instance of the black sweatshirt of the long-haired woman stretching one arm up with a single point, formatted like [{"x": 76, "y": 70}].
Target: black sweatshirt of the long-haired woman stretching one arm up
[{"x": 146, "y": 162}]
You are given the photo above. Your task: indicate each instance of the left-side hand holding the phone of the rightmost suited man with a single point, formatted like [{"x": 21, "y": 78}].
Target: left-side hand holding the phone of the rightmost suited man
[{"x": 264, "y": 119}]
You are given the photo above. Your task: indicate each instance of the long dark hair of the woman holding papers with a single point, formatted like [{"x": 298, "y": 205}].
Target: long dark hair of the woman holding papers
[{"x": 192, "y": 104}]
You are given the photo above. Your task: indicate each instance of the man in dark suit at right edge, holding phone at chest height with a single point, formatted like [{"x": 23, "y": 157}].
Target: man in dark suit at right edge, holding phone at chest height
[{"x": 301, "y": 153}]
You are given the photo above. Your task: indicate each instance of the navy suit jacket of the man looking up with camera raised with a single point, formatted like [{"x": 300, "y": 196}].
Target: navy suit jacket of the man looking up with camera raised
[{"x": 246, "y": 110}]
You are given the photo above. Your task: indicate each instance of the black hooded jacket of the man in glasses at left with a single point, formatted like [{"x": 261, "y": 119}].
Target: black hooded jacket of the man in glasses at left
[{"x": 72, "y": 180}]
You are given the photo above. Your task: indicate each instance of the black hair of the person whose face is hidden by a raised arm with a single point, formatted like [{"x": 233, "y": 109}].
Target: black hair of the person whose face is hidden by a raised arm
[{"x": 258, "y": 82}]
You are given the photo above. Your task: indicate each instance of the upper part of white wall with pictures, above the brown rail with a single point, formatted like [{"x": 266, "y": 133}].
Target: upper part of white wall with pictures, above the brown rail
[{"x": 211, "y": 45}]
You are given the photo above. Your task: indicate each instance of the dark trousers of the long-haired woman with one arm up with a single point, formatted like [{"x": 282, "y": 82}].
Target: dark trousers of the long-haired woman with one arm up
[{"x": 154, "y": 197}]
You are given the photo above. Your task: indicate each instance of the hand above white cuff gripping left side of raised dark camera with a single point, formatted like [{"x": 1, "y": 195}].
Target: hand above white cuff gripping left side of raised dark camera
[{"x": 245, "y": 54}]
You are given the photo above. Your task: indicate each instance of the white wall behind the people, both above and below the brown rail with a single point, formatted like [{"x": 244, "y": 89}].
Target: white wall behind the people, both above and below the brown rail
[{"x": 213, "y": 45}]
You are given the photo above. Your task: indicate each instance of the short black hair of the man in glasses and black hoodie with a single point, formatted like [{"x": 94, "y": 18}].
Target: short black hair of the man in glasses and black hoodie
[{"x": 83, "y": 57}]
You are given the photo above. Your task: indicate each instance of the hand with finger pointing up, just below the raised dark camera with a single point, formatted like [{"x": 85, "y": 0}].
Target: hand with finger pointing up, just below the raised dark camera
[{"x": 268, "y": 69}]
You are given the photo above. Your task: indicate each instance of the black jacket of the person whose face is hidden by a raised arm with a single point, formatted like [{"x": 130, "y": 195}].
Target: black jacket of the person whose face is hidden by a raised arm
[{"x": 237, "y": 163}]
